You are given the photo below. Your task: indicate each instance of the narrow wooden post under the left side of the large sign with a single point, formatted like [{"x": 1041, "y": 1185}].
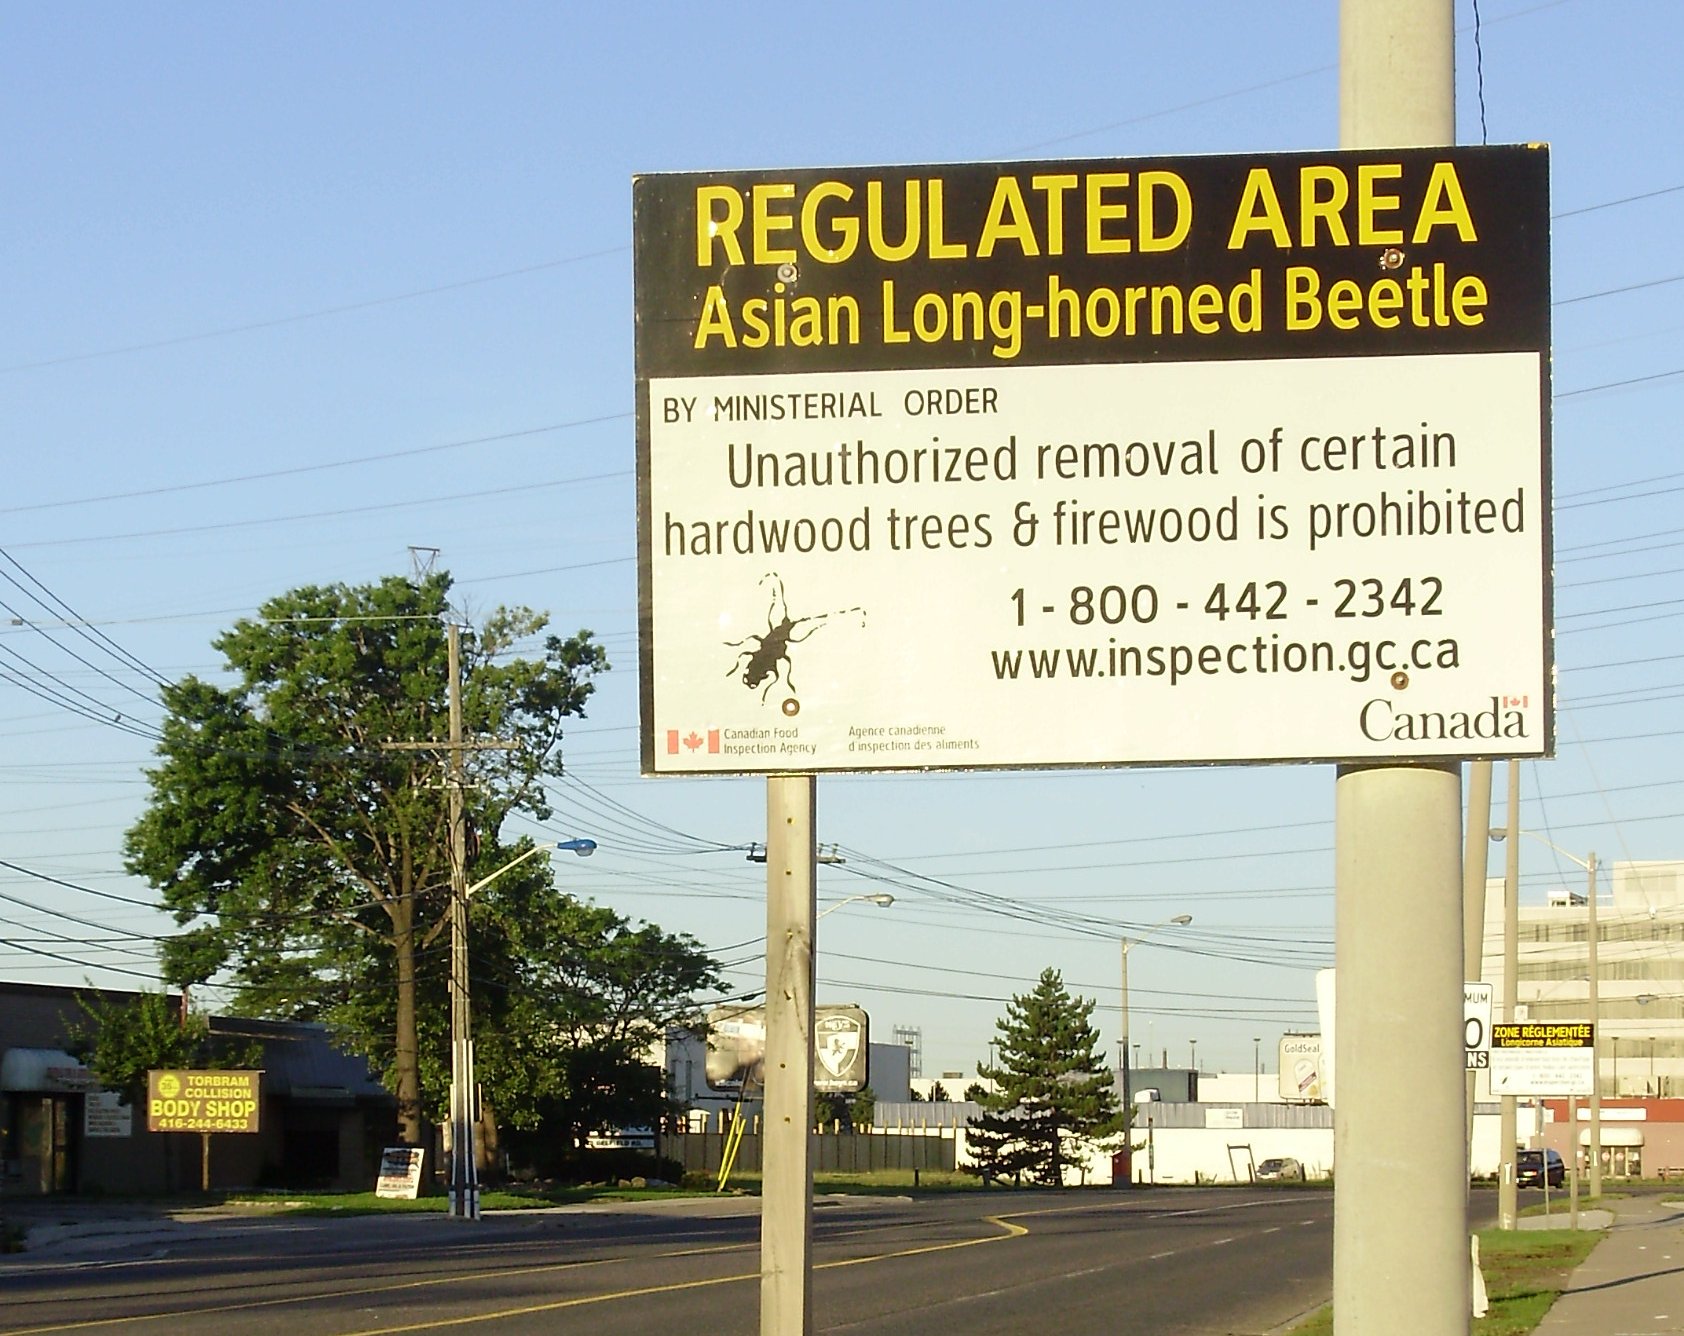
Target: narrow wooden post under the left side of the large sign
[{"x": 787, "y": 1192}]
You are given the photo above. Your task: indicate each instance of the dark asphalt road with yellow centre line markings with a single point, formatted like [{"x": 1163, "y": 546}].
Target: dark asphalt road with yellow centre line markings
[{"x": 1065, "y": 1264}]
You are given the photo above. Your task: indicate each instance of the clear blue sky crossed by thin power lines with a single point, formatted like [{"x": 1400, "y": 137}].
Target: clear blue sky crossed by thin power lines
[{"x": 296, "y": 289}]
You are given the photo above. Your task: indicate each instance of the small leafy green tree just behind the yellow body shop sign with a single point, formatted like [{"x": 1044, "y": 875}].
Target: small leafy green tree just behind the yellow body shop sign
[{"x": 125, "y": 1040}]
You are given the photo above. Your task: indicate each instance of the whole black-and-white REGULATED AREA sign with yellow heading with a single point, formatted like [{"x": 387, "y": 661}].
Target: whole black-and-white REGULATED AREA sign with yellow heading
[{"x": 1176, "y": 461}]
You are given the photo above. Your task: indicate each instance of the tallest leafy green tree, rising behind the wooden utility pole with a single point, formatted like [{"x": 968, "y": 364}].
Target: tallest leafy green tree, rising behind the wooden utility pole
[{"x": 301, "y": 852}]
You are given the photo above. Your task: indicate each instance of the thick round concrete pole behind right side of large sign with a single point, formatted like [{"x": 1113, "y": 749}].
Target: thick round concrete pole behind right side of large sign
[{"x": 1400, "y": 1219}]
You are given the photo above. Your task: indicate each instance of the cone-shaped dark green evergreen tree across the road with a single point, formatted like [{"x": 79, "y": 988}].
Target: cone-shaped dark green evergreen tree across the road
[{"x": 1053, "y": 1098}]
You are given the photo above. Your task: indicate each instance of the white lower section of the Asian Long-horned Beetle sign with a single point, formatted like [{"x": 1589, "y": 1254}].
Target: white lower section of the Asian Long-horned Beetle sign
[{"x": 1100, "y": 565}]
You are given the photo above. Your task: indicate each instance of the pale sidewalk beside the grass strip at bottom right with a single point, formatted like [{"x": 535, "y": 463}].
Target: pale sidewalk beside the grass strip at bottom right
[{"x": 1634, "y": 1283}]
